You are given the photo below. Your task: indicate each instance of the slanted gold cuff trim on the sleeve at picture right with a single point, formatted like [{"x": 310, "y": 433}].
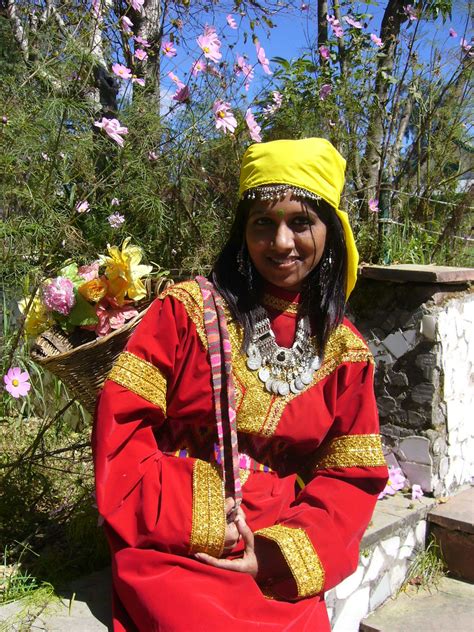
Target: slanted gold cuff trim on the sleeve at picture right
[{"x": 299, "y": 553}]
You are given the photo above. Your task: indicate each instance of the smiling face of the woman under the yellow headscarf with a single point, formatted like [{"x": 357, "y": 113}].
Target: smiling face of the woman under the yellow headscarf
[{"x": 285, "y": 240}]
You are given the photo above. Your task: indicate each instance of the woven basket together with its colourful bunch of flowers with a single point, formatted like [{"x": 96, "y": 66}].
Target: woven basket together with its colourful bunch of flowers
[{"x": 84, "y": 316}]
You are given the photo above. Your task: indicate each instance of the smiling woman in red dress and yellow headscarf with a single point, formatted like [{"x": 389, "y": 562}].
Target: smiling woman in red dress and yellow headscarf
[{"x": 183, "y": 558}]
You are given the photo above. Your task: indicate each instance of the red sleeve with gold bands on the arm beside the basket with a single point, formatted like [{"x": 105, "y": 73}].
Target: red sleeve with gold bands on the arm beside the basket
[{"x": 148, "y": 498}]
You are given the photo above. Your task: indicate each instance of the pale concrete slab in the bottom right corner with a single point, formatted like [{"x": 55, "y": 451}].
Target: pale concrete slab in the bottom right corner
[{"x": 450, "y": 606}]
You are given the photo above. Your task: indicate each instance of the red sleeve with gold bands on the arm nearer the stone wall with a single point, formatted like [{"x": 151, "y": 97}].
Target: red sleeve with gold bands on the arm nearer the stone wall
[{"x": 319, "y": 533}]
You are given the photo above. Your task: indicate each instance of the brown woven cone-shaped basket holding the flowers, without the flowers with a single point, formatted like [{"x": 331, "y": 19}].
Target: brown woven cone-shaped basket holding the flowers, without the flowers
[{"x": 83, "y": 366}]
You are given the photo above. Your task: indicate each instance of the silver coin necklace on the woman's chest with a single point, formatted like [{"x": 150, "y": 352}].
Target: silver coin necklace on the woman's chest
[{"x": 281, "y": 369}]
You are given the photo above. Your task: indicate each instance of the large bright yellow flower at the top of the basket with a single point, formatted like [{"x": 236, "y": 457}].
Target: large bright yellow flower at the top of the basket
[{"x": 124, "y": 265}]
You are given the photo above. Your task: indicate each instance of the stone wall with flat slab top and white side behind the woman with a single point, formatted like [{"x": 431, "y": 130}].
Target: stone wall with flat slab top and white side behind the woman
[{"x": 419, "y": 323}]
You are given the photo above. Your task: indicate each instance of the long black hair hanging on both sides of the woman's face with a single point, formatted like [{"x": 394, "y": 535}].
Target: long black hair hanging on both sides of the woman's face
[{"x": 324, "y": 289}]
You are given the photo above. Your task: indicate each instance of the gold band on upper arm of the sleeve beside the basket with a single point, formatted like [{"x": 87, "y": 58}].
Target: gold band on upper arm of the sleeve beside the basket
[{"x": 140, "y": 377}]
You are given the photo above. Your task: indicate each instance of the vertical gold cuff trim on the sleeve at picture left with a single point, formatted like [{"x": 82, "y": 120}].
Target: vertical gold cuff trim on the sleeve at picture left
[{"x": 208, "y": 530}]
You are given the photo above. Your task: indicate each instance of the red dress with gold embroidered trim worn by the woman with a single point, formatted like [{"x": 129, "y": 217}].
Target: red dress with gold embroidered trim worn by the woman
[{"x": 312, "y": 467}]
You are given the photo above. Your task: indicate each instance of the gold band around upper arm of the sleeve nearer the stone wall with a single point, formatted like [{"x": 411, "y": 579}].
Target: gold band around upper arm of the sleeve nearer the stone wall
[{"x": 352, "y": 451}]
